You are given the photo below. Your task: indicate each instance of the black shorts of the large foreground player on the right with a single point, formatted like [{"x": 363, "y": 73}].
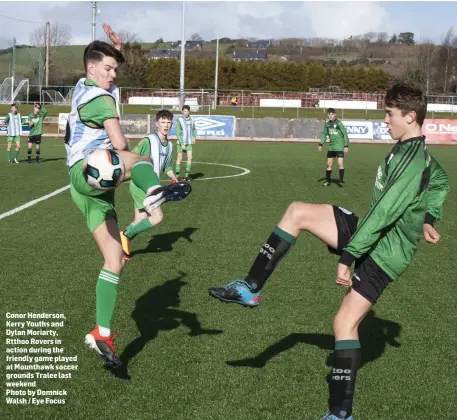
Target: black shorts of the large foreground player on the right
[{"x": 368, "y": 279}]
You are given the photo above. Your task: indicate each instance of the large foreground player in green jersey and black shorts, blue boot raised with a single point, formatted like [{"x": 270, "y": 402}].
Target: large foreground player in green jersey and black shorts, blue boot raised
[{"x": 408, "y": 196}]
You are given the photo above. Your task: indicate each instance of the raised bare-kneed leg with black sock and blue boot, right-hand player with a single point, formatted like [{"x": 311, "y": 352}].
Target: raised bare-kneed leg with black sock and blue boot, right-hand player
[{"x": 318, "y": 219}]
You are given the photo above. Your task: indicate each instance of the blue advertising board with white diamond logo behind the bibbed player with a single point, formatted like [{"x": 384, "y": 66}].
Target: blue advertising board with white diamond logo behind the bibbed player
[{"x": 210, "y": 125}]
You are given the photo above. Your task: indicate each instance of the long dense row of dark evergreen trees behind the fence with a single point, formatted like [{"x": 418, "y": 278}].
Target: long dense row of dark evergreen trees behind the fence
[{"x": 250, "y": 75}]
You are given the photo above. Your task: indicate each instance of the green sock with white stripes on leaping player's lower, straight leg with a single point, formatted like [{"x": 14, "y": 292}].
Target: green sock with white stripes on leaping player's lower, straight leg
[{"x": 106, "y": 293}]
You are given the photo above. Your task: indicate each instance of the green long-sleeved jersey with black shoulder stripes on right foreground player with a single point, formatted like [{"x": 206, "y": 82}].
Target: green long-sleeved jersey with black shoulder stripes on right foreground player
[{"x": 410, "y": 187}]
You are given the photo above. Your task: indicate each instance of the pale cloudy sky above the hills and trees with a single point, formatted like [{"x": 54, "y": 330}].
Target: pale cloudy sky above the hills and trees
[{"x": 260, "y": 19}]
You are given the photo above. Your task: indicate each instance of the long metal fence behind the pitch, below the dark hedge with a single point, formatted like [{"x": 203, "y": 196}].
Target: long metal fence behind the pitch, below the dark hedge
[{"x": 208, "y": 100}]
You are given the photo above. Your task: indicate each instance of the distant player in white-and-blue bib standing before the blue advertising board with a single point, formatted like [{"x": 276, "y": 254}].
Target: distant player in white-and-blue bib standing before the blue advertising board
[{"x": 186, "y": 135}]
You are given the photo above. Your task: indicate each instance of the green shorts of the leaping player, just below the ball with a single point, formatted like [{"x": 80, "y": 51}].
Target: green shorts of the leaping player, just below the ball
[{"x": 96, "y": 206}]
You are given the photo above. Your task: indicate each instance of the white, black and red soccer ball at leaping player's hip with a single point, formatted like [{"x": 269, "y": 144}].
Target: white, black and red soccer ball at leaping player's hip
[{"x": 103, "y": 169}]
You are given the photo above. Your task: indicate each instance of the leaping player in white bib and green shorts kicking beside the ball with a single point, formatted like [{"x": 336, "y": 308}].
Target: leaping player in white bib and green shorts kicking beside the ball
[{"x": 93, "y": 124}]
